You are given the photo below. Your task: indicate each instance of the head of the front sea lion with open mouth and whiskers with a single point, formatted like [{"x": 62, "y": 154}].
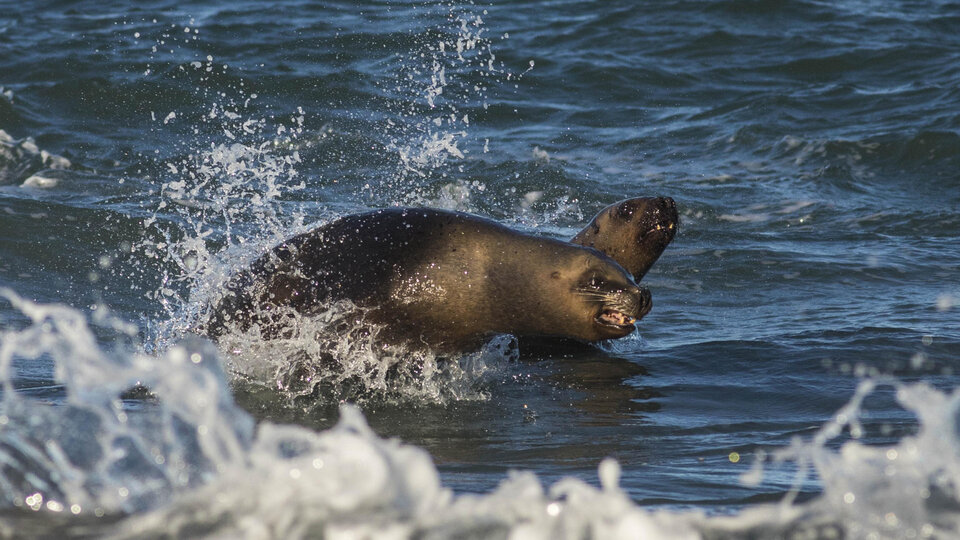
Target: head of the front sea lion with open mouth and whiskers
[{"x": 604, "y": 297}]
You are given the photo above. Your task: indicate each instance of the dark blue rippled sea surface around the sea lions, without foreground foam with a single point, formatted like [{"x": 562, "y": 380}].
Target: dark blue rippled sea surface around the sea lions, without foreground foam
[{"x": 813, "y": 149}]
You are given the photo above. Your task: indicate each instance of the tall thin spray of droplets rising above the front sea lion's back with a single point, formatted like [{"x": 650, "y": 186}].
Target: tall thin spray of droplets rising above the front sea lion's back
[{"x": 440, "y": 85}]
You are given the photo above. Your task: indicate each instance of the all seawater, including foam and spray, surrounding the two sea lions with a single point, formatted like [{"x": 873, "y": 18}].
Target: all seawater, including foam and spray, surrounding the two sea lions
[{"x": 797, "y": 376}]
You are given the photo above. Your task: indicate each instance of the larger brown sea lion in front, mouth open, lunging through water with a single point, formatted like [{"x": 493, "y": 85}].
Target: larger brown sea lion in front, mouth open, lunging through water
[{"x": 446, "y": 280}]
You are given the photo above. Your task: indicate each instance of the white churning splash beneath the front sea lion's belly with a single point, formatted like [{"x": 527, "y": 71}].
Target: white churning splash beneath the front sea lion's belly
[{"x": 335, "y": 356}]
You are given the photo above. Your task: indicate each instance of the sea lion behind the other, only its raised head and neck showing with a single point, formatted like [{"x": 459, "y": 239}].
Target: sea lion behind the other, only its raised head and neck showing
[{"x": 633, "y": 232}]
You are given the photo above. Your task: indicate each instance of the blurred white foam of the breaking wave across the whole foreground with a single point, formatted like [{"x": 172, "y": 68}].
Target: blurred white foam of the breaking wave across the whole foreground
[{"x": 184, "y": 459}]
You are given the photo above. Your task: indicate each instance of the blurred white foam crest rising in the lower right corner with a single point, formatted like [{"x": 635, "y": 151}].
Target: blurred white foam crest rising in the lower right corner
[{"x": 908, "y": 489}]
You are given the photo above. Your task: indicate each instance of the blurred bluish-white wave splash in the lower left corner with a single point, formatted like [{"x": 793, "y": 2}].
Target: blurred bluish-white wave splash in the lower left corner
[{"x": 71, "y": 442}]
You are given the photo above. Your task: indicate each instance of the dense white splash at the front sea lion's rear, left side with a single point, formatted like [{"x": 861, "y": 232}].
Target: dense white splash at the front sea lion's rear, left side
[{"x": 220, "y": 211}]
